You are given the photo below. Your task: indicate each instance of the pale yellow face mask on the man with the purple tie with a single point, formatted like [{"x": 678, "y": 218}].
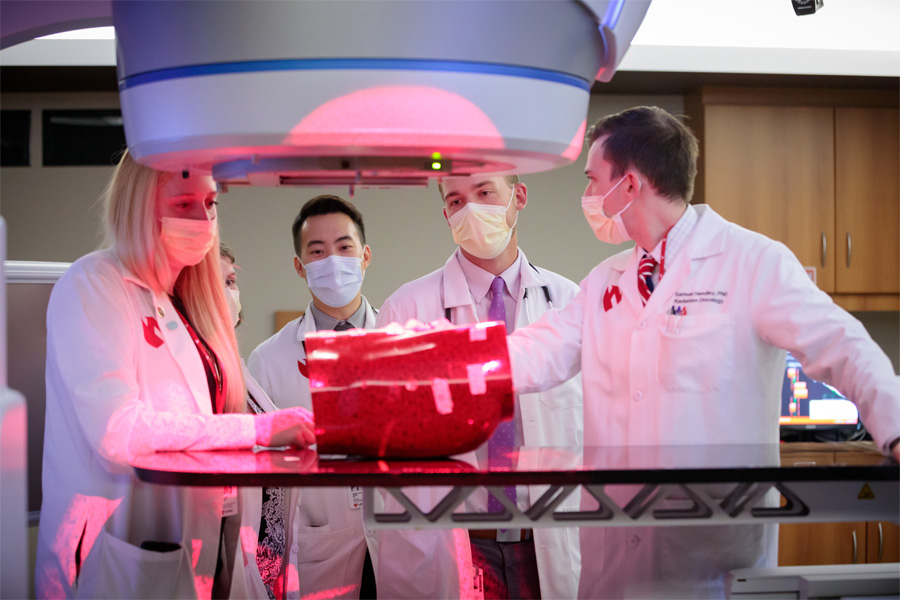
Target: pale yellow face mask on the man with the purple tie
[{"x": 481, "y": 229}]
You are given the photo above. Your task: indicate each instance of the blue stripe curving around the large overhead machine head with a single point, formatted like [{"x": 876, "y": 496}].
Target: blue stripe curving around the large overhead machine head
[{"x": 313, "y": 64}]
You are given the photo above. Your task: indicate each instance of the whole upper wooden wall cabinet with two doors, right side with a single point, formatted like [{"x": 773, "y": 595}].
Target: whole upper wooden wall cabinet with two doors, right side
[{"x": 816, "y": 169}]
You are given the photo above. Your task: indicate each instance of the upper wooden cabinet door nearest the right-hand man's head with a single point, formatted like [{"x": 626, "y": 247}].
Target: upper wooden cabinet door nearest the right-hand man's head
[{"x": 771, "y": 169}]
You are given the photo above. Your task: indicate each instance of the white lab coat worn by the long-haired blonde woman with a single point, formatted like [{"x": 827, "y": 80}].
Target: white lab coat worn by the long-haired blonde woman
[{"x": 123, "y": 378}]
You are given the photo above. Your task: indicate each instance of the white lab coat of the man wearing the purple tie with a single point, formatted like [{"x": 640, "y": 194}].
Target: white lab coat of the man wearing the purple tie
[{"x": 550, "y": 418}]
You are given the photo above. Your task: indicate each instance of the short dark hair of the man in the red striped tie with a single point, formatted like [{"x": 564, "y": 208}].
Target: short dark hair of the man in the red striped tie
[{"x": 654, "y": 142}]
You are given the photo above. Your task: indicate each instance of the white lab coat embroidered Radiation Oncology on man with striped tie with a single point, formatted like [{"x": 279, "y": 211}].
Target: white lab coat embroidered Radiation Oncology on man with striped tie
[{"x": 712, "y": 376}]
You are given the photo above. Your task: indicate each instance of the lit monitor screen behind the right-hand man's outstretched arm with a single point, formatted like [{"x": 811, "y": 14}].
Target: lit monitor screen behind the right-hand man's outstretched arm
[{"x": 810, "y": 404}]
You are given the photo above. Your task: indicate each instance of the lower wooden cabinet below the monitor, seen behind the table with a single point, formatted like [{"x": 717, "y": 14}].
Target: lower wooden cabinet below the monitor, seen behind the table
[{"x": 835, "y": 543}]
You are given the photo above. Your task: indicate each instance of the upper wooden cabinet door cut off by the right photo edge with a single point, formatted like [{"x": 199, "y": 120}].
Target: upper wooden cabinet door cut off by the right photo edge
[{"x": 867, "y": 192}]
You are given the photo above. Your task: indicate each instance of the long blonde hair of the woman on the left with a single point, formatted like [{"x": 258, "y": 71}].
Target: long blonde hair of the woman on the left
[{"x": 133, "y": 233}]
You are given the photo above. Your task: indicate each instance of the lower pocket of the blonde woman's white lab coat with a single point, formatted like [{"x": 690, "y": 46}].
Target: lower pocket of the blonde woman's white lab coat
[{"x": 116, "y": 569}]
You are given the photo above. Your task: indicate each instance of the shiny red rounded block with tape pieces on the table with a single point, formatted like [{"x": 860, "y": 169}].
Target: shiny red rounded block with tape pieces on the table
[{"x": 398, "y": 393}]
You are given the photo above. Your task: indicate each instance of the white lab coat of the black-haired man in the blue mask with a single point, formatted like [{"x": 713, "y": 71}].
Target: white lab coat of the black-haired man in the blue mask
[{"x": 325, "y": 536}]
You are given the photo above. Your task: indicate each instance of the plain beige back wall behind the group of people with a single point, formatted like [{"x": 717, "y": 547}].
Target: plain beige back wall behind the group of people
[{"x": 52, "y": 214}]
